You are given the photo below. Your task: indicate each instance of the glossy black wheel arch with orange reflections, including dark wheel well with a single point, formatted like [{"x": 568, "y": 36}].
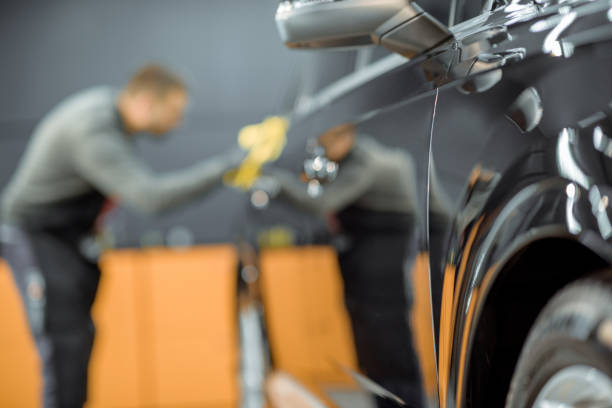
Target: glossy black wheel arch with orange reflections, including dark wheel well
[{"x": 499, "y": 285}]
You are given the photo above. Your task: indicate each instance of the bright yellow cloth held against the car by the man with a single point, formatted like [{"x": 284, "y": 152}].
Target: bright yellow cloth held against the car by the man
[{"x": 265, "y": 142}]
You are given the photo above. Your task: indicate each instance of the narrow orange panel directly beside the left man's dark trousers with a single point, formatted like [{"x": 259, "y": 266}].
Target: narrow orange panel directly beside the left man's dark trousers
[{"x": 116, "y": 365}]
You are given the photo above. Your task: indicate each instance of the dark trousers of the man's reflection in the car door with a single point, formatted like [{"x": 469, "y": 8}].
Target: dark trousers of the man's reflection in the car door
[{"x": 378, "y": 297}]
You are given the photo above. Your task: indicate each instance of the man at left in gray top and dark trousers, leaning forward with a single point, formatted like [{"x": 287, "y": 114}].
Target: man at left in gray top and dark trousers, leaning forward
[{"x": 79, "y": 157}]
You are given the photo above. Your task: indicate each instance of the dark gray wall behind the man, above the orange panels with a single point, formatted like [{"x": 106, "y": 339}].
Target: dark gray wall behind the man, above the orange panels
[{"x": 229, "y": 52}]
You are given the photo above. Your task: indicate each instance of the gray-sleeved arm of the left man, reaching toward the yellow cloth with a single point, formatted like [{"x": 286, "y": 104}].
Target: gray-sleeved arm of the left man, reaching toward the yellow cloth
[{"x": 107, "y": 162}]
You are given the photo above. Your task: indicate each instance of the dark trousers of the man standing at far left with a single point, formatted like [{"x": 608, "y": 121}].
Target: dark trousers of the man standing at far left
[{"x": 57, "y": 286}]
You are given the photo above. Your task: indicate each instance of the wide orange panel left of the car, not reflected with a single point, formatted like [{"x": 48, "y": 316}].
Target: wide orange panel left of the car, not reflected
[{"x": 194, "y": 327}]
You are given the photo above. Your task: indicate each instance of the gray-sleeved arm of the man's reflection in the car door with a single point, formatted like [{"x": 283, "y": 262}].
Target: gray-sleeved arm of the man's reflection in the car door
[{"x": 353, "y": 180}]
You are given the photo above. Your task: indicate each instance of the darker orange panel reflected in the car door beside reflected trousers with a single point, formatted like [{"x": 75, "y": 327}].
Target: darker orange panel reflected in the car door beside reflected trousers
[{"x": 308, "y": 325}]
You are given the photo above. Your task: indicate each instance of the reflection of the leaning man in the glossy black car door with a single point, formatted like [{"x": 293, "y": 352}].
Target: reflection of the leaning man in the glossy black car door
[{"x": 374, "y": 199}]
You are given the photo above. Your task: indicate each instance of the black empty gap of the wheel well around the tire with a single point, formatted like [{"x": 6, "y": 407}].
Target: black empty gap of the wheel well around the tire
[{"x": 516, "y": 297}]
